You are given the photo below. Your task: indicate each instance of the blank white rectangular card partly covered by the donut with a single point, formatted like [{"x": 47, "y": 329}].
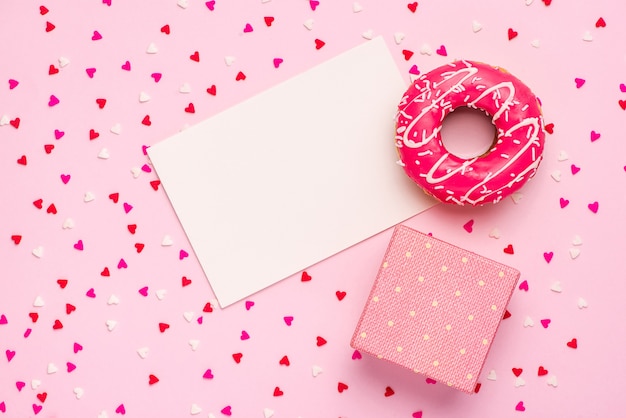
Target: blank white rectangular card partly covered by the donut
[{"x": 293, "y": 175}]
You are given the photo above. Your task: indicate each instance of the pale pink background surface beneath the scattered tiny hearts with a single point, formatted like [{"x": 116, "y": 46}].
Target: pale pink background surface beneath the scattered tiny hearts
[{"x": 109, "y": 371}]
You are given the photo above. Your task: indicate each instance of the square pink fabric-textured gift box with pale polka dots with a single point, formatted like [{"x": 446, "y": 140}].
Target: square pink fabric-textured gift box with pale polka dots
[{"x": 434, "y": 308}]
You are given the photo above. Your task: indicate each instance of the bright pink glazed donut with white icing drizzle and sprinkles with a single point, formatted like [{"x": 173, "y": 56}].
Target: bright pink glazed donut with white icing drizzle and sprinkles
[{"x": 510, "y": 162}]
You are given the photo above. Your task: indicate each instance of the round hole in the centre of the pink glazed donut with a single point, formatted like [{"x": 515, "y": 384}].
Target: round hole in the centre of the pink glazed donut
[{"x": 468, "y": 133}]
